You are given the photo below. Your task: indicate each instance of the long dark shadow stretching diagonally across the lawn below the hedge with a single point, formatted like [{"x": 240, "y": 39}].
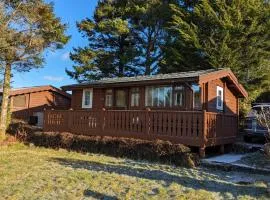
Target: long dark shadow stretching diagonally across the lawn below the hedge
[{"x": 187, "y": 178}]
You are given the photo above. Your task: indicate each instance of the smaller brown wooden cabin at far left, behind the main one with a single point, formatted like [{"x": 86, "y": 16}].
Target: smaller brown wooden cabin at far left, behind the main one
[{"x": 31, "y": 101}]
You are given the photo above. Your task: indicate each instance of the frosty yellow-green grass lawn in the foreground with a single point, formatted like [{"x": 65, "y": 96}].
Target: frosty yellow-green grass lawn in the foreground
[{"x": 39, "y": 173}]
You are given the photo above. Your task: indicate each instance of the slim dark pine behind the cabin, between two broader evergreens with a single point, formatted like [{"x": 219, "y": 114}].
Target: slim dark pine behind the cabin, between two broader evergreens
[{"x": 149, "y": 19}]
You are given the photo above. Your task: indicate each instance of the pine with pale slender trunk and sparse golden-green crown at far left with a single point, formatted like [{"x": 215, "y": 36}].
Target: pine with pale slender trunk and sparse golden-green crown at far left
[{"x": 27, "y": 28}]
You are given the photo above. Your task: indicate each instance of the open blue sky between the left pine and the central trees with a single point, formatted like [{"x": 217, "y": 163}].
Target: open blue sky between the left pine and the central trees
[{"x": 53, "y": 71}]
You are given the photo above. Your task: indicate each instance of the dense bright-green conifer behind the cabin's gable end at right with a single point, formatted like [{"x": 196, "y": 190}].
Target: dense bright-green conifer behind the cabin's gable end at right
[{"x": 228, "y": 34}]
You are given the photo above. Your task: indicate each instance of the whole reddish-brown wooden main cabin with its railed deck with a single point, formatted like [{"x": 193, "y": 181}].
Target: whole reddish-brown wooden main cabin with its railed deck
[{"x": 198, "y": 108}]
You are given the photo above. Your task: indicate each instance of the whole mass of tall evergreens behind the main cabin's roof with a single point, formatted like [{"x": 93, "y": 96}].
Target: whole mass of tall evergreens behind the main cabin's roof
[{"x": 133, "y": 37}]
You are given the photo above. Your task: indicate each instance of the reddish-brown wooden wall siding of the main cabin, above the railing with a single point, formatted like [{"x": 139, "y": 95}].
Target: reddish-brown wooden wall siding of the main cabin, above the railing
[{"x": 208, "y": 98}]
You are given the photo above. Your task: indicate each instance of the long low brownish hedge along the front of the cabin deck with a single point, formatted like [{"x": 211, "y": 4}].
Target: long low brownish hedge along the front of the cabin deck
[{"x": 161, "y": 151}]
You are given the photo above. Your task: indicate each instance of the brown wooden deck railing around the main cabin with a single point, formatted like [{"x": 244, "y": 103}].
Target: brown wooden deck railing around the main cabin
[{"x": 194, "y": 128}]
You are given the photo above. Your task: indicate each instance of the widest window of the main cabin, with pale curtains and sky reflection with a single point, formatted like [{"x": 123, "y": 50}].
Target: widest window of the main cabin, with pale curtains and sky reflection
[{"x": 158, "y": 96}]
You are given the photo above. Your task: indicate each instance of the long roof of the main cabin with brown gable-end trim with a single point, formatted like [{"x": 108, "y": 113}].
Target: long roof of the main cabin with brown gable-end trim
[{"x": 200, "y": 76}]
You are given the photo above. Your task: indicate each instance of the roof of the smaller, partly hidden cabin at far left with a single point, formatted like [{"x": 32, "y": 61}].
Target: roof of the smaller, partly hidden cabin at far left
[{"x": 26, "y": 90}]
